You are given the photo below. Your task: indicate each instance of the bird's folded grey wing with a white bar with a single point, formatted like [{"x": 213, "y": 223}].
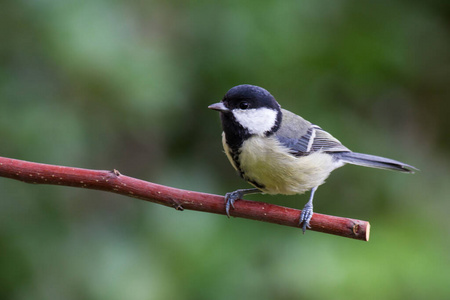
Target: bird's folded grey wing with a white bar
[{"x": 303, "y": 138}]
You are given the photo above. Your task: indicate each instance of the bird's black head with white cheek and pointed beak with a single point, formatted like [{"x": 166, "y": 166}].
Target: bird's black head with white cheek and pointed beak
[{"x": 248, "y": 110}]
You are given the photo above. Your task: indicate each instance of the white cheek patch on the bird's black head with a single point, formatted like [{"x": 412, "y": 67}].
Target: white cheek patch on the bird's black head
[{"x": 256, "y": 121}]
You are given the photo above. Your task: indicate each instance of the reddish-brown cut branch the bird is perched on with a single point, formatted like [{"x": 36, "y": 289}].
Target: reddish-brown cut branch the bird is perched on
[{"x": 113, "y": 181}]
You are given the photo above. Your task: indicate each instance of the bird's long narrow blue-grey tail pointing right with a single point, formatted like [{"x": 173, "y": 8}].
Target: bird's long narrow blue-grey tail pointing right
[{"x": 373, "y": 161}]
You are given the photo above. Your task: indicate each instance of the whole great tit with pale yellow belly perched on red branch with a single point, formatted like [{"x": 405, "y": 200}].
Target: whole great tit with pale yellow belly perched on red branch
[{"x": 279, "y": 152}]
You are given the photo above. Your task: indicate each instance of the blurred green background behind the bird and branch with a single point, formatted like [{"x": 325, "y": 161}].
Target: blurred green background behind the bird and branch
[{"x": 125, "y": 84}]
